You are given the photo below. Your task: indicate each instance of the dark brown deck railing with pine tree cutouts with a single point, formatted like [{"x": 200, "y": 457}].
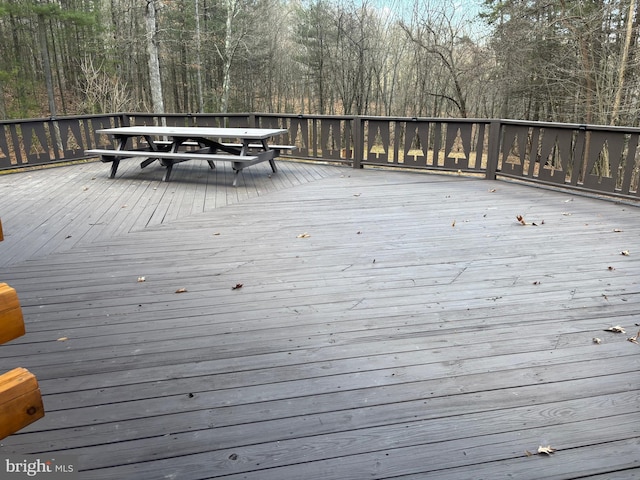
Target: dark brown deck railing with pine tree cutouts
[{"x": 592, "y": 158}]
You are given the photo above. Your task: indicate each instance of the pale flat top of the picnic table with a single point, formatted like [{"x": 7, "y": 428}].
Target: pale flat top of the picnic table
[{"x": 191, "y": 132}]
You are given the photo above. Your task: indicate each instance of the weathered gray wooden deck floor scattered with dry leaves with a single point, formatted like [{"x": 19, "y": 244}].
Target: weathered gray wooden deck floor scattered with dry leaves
[{"x": 389, "y": 324}]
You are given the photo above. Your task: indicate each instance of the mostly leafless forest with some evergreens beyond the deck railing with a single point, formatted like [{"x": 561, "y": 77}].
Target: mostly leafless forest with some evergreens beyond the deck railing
[{"x": 557, "y": 60}]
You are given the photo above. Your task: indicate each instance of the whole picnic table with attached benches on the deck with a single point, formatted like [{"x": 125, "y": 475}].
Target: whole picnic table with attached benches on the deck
[{"x": 242, "y": 147}]
